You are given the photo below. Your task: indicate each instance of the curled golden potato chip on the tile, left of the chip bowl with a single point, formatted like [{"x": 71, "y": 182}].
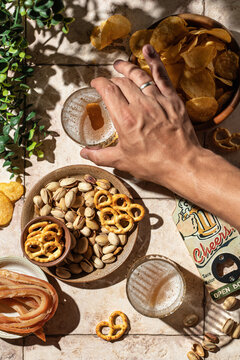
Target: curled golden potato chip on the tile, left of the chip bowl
[{"x": 115, "y": 27}]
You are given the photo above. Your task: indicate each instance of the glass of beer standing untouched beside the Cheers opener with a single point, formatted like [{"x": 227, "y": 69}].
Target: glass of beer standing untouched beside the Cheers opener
[{"x": 155, "y": 286}]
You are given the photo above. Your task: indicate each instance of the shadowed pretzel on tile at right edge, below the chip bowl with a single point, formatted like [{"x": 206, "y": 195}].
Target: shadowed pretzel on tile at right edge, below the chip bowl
[{"x": 223, "y": 139}]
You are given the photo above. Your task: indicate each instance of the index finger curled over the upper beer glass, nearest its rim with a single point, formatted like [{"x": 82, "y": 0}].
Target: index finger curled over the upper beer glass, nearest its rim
[{"x": 113, "y": 99}]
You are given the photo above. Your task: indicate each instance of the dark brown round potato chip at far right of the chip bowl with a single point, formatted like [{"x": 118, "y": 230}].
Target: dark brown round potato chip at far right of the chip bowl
[{"x": 227, "y": 65}]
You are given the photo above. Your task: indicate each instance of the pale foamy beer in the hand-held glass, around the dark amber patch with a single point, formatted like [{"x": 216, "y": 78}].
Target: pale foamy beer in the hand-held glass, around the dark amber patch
[{"x": 77, "y": 123}]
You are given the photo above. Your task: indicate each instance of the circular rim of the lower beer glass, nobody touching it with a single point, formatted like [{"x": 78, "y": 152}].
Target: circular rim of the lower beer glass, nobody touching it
[{"x": 147, "y": 258}]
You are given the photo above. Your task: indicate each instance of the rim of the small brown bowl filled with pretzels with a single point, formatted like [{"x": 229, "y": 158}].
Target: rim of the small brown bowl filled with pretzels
[{"x": 66, "y": 238}]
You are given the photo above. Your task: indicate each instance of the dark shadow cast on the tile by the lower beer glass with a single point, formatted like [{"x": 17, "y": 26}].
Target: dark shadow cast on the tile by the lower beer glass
[{"x": 192, "y": 304}]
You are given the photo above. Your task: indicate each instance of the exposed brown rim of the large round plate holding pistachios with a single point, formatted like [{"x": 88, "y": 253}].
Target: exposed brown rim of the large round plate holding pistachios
[{"x": 71, "y": 171}]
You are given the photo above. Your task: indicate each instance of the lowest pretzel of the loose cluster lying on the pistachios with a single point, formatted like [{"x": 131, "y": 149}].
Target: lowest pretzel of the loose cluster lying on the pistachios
[{"x": 113, "y": 224}]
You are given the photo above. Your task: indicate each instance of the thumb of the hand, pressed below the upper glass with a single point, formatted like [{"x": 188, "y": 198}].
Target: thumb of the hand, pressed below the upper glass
[{"x": 102, "y": 157}]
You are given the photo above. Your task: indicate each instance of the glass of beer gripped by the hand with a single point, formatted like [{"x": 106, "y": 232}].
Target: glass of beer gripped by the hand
[{"x": 86, "y": 120}]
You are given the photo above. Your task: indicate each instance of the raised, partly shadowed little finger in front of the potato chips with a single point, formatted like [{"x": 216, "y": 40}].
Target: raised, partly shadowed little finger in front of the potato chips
[{"x": 159, "y": 72}]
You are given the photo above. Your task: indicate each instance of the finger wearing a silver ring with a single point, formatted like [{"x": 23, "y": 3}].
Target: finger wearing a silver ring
[{"x": 137, "y": 75}]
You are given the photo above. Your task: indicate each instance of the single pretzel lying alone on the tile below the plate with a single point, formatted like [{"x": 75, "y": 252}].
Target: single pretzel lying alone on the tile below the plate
[{"x": 116, "y": 330}]
